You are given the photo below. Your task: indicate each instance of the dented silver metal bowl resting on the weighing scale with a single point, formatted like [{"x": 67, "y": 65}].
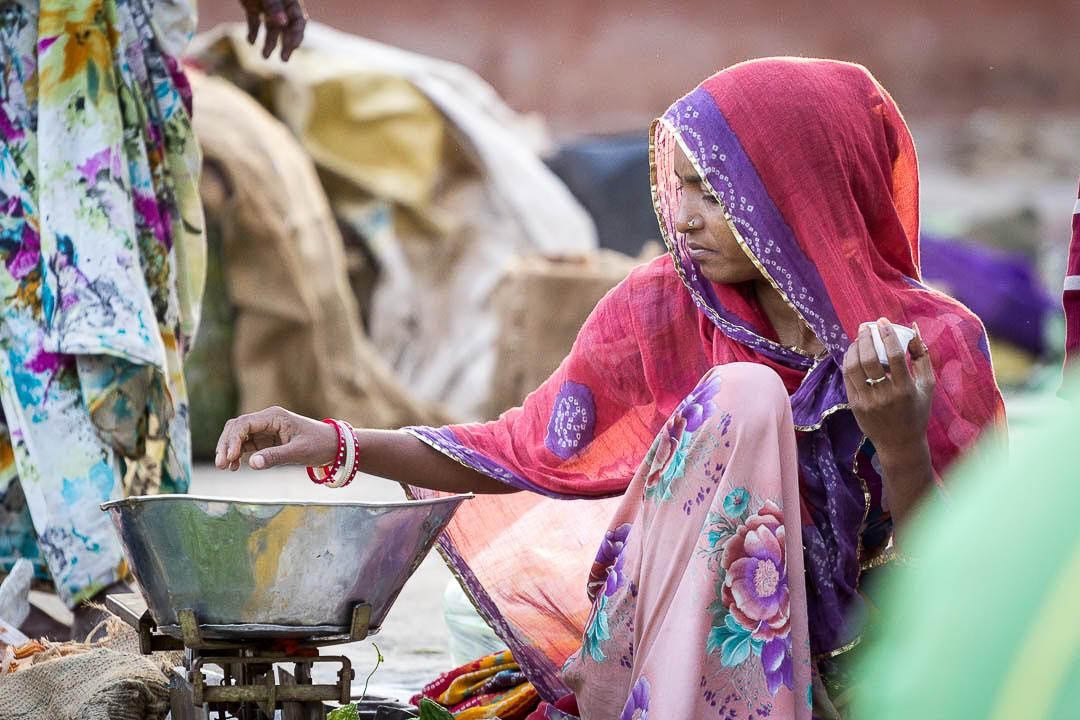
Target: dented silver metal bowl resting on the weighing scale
[{"x": 274, "y": 568}]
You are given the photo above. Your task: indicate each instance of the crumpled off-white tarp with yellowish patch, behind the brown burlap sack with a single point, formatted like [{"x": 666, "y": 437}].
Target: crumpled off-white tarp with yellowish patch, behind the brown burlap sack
[{"x": 442, "y": 181}]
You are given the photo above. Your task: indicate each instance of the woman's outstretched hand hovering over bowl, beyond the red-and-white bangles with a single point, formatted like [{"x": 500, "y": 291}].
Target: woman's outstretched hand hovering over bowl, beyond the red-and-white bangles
[{"x": 277, "y": 438}]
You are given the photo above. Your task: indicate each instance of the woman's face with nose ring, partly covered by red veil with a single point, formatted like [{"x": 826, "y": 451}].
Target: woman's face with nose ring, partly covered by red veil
[{"x": 710, "y": 241}]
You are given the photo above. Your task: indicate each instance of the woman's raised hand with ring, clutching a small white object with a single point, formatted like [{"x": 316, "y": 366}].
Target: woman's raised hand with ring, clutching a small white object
[{"x": 894, "y": 414}]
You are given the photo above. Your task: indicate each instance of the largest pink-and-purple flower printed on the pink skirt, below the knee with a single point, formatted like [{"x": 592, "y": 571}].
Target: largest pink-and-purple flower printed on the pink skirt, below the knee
[{"x": 755, "y": 583}]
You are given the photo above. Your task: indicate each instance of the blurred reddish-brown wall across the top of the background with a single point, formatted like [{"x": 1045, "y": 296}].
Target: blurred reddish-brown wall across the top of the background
[{"x": 606, "y": 66}]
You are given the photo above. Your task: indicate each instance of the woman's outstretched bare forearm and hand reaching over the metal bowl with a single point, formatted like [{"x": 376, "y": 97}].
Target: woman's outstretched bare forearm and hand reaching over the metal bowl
[{"x": 277, "y": 438}]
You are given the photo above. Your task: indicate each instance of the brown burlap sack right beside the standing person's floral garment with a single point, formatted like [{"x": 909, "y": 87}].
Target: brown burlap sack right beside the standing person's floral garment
[{"x": 298, "y": 339}]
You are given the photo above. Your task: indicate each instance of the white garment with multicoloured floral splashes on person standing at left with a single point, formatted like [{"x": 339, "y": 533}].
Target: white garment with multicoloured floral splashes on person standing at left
[{"x": 102, "y": 262}]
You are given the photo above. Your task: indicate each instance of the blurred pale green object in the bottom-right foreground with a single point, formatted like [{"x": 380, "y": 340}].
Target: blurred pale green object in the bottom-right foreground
[{"x": 982, "y": 621}]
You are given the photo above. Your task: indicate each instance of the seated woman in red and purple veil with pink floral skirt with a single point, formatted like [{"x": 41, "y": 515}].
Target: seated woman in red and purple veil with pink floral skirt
[{"x": 725, "y": 400}]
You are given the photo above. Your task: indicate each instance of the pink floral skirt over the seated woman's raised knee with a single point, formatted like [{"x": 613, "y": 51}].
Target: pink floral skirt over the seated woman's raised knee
[{"x": 694, "y": 583}]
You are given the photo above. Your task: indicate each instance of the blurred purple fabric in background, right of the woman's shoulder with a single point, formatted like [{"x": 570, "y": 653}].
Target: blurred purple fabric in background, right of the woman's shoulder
[{"x": 1003, "y": 289}]
